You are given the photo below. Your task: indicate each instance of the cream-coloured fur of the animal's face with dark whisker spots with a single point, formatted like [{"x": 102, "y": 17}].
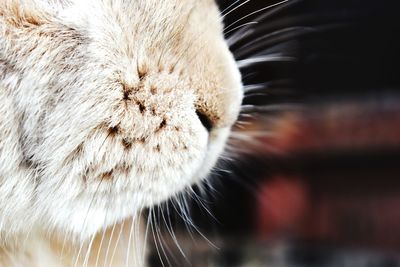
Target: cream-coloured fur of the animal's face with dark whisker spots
[{"x": 98, "y": 102}]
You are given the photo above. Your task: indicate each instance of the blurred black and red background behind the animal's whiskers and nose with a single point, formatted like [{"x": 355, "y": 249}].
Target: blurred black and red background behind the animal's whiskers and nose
[{"x": 311, "y": 176}]
